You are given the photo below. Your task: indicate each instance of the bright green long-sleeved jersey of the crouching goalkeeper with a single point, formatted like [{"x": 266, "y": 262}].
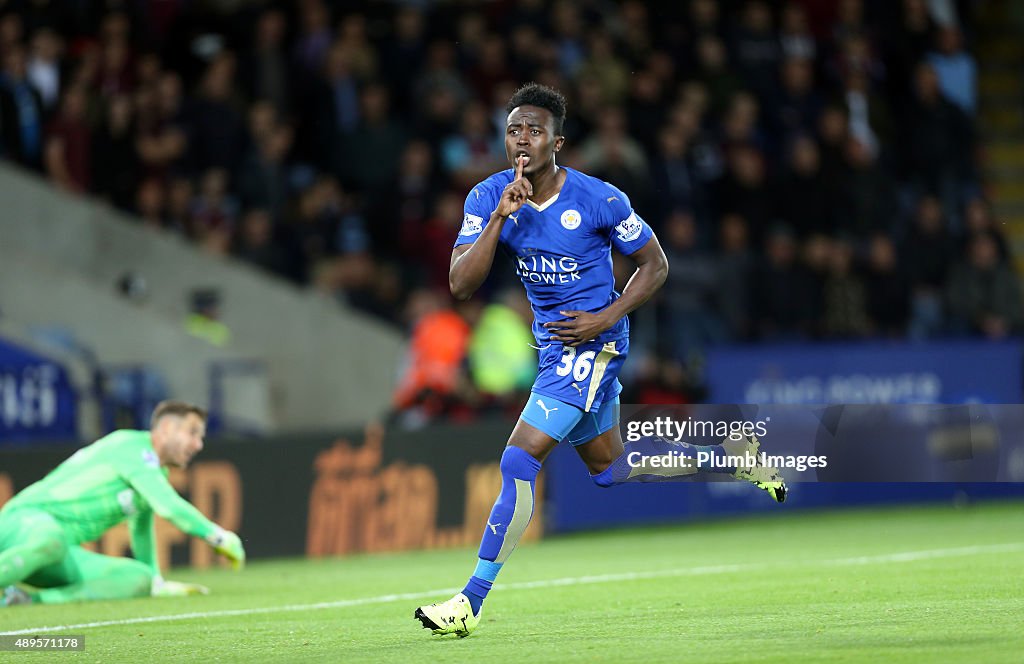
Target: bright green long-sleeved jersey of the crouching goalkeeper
[{"x": 116, "y": 479}]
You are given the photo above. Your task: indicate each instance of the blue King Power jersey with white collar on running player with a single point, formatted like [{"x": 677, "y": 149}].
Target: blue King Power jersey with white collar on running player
[{"x": 563, "y": 248}]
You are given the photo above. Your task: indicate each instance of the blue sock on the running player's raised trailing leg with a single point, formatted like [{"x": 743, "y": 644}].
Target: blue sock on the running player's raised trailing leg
[{"x": 634, "y": 465}]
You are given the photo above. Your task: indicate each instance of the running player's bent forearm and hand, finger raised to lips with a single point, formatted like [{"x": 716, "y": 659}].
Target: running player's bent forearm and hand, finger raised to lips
[{"x": 472, "y": 264}]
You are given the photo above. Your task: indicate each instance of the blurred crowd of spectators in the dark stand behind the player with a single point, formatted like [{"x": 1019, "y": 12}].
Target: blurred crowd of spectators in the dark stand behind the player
[{"x": 809, "y": 165}]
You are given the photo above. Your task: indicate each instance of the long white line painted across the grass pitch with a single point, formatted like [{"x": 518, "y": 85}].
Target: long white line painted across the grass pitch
[{"x": 906, "y": 557}]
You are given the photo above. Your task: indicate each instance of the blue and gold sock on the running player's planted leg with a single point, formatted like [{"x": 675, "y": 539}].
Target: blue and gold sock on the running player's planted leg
[{"x": 507, "y": 523}]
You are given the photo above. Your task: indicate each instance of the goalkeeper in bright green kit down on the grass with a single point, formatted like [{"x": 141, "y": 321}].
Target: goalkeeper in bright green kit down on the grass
[{"x": 122, "y": 477}]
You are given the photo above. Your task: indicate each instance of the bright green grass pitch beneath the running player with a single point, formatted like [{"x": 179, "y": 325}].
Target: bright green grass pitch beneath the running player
[{"x": 922, "y": 585}]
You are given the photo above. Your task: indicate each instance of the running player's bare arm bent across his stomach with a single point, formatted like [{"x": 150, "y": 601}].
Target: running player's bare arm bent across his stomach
[{"x": 653, "y": 269}]
